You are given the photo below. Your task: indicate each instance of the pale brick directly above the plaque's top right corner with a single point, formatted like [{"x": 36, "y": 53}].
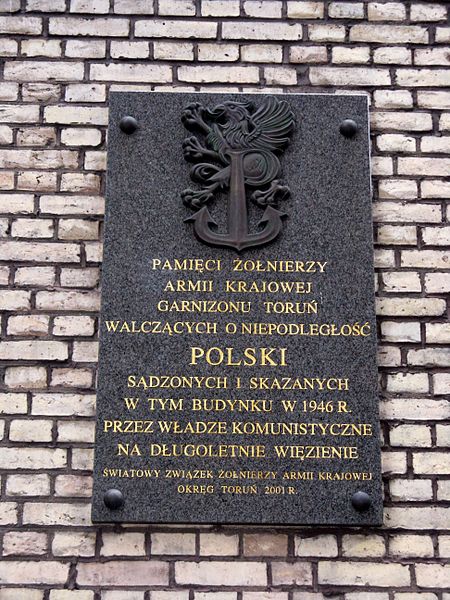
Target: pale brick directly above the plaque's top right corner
[{"x": 351, "y": 76}]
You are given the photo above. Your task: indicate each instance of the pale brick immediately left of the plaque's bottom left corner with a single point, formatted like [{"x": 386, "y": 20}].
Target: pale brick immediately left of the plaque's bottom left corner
[{"x": 42, "y": 513}]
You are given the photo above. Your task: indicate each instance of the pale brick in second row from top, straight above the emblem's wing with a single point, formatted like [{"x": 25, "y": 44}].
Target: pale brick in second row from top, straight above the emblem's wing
[{"x": 261, "y": 31}]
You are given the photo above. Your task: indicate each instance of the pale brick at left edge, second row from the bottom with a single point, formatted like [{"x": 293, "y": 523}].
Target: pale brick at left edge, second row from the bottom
[{"x": 29, "y": 572}]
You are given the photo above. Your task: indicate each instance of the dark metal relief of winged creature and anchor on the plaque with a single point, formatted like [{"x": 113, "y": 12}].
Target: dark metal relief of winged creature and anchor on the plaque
[{"x": 238, "y": 151}]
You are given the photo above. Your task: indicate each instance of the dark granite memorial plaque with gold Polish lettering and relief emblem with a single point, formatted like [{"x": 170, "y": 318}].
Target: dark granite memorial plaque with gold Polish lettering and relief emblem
[{"x": 237, "y": 375}]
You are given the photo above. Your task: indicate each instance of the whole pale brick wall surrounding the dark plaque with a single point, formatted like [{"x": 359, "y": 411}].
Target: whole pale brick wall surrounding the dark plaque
[{"x": 60, "y": 59}]
